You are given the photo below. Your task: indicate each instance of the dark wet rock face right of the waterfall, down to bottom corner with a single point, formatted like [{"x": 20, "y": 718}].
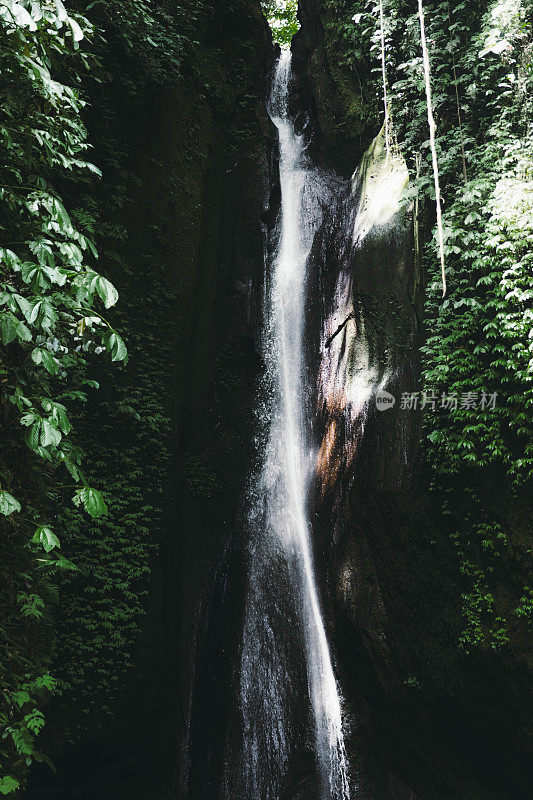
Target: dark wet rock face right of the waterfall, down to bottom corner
[{"x": 426, "y": 721}]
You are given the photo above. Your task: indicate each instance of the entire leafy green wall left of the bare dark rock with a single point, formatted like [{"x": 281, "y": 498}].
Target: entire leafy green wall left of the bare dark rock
[{"x": 162, "y": 83}]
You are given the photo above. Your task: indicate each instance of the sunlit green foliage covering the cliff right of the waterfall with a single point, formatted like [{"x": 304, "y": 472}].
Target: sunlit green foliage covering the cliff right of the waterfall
[{"x": 479, "y": 338}]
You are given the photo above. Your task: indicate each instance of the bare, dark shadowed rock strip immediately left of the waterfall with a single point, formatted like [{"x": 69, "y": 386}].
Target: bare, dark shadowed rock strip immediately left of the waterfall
[{"x": 203, "y": 556}]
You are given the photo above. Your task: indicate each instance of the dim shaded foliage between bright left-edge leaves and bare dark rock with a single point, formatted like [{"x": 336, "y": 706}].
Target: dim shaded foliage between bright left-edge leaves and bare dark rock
[{"x": 125, "y": 429}]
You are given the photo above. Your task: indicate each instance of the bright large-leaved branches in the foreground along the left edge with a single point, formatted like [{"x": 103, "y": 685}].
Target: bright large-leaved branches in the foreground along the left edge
[{"x": 50, "y": 326}]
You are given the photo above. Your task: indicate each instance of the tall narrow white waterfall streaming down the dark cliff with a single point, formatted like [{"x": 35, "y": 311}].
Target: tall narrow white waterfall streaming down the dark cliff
[{"x": 280, "y": 499}]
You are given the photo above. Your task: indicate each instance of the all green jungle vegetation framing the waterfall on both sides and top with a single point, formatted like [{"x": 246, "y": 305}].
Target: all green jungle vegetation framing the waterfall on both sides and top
[{"x": 76, "y": 519}]
